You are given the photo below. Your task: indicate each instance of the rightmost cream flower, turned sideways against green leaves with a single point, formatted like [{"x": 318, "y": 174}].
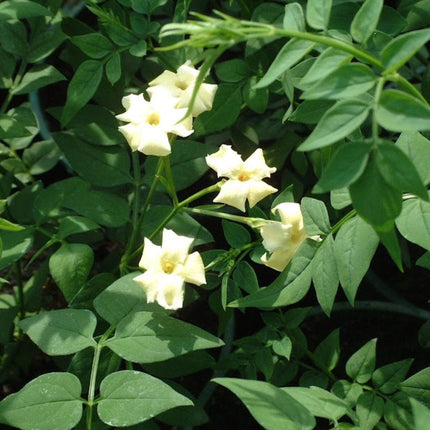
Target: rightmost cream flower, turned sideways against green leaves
[{"x": 283, "y": 238}]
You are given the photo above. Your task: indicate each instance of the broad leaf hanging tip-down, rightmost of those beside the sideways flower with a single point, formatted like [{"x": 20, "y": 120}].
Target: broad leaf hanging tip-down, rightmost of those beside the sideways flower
[{"x": 354, "y": 247}]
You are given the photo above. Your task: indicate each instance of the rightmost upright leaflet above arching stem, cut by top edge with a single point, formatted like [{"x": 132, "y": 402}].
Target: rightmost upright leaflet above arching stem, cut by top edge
[{"x": 366, "y": 20}]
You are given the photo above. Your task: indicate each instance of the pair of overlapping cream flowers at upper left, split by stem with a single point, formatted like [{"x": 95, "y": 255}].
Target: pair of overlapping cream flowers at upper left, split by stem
[{"x": 151, "y": 122}]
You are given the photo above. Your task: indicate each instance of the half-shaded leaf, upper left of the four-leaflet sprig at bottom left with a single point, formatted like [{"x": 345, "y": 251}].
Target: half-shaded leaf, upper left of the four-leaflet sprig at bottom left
[{"x": 61, "y": 332}]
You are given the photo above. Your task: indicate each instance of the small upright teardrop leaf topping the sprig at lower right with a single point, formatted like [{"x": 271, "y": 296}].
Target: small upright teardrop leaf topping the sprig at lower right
[{"x": 361, "y": 364}]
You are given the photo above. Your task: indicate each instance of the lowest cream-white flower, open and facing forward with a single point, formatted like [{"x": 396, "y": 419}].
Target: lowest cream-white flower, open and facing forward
[{"x": 168, "y": 267}]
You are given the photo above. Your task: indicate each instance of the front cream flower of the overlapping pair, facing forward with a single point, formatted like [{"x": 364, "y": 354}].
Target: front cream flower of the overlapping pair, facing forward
[{"x": 150, "y": 123}]
